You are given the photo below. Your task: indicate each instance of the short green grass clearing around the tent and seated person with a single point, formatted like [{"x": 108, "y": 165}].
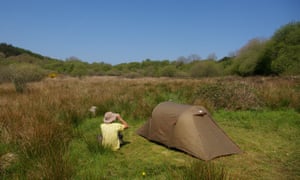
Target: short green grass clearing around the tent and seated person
[{"x": 269, "y": 139}]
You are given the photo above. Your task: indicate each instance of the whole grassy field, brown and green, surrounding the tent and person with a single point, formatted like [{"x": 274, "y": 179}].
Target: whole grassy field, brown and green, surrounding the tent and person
[{"x": 47, "y": 132}]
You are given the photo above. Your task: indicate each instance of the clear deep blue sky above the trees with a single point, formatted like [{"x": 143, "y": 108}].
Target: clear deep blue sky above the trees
[{"x": 119, "y": 31}]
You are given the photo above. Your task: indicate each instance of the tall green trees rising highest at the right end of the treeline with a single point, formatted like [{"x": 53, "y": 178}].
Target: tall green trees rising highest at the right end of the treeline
[{"x": 278, "y": 55}]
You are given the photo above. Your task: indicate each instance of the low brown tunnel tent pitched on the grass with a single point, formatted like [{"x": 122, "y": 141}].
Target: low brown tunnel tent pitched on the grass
[{"x": 188, "y": 128}]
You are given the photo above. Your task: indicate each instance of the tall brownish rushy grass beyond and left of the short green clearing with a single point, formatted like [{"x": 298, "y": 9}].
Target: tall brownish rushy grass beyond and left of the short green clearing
[{"x": 38, "y": 125}]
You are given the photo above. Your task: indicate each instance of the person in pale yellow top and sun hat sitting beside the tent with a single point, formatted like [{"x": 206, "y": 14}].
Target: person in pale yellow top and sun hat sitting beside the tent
[{"x": 111, "y": 131}]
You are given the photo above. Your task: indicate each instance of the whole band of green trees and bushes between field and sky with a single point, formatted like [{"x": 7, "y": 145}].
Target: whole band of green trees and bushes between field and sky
[{"x": 279, "y": 55}]
